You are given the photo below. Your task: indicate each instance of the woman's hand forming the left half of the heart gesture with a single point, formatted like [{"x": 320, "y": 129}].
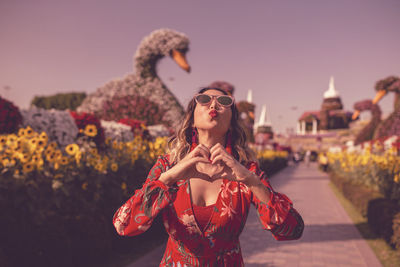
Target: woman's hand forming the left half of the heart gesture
[{"x": 185, "y": 168}]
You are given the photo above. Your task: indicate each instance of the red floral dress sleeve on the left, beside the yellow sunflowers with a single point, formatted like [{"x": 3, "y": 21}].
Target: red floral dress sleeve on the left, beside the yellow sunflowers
[{"x": 138, "y": 213}]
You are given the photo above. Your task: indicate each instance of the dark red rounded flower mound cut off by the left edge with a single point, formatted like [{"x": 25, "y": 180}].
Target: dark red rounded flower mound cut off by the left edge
[{"x": 10, "y": 117}]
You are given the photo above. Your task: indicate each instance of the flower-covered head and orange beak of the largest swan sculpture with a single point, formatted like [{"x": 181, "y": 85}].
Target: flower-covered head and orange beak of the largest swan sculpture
[{"x": 161, "y": 43}]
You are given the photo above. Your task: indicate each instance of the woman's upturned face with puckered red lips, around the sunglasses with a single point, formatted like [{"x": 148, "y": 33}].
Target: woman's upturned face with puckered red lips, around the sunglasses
[{"x": 204, "y": 119}]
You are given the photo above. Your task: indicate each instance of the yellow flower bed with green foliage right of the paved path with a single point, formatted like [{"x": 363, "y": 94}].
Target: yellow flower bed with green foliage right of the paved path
[{"x": 369, "y": 176}]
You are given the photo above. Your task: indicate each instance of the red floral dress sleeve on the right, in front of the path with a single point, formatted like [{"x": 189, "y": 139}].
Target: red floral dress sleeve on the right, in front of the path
[{"x": 278, "y": 215}]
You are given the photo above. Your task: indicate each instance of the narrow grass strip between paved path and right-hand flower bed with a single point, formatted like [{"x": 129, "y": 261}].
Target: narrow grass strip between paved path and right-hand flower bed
[{"x": 386, "y": 255}]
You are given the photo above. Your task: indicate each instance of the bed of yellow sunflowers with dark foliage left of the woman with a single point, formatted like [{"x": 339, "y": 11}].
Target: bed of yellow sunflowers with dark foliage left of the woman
[{"x": 57, "y": 205}]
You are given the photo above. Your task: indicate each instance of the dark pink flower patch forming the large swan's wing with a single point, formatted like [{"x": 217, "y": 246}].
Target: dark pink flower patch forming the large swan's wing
[{"x": 133, "y": 107}]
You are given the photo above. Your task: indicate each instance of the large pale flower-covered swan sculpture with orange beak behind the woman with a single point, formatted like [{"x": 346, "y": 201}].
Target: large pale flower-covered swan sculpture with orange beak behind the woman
[{"x": 144, "y": 81}]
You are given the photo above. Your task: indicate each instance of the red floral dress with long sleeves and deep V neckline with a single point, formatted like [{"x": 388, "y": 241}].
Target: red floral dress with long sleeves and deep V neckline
[{"x": 218, "y": 243}]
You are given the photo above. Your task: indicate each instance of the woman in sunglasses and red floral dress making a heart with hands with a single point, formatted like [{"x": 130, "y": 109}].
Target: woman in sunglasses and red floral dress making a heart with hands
[{"x": 203, "y": 189}]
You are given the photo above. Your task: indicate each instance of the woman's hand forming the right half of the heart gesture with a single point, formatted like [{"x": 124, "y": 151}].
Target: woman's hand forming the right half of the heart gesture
[{"x": 233, "y": 170}]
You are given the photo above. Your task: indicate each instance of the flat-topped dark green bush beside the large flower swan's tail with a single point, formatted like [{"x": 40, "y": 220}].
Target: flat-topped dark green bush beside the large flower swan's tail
[{"x": 59, "y": 101}]
